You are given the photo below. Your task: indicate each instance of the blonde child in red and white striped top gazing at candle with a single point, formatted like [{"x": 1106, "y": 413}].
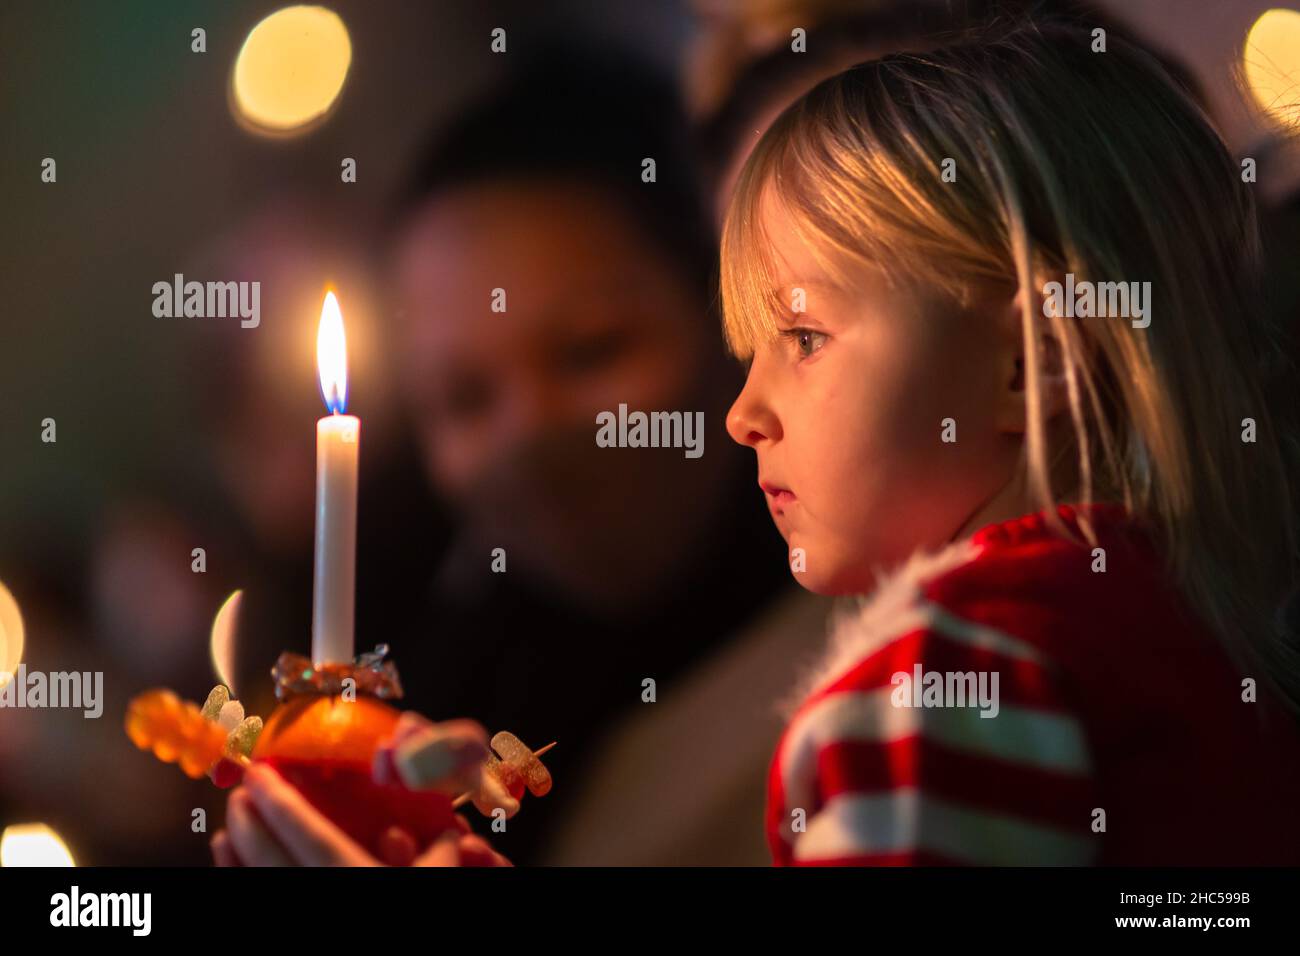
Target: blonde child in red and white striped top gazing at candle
[{"x": 1076, "y": 655}]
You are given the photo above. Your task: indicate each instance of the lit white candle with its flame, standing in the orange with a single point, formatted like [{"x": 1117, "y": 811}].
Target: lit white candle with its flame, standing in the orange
[{"x": 337, "y": 455}]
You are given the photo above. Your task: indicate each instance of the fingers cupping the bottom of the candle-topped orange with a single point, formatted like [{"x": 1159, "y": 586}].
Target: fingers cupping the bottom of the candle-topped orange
[{"x": 270, "y": 824}]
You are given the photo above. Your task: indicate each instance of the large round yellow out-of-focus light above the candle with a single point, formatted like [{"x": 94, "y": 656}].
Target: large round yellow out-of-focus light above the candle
[{"x": 292, "y": 70}]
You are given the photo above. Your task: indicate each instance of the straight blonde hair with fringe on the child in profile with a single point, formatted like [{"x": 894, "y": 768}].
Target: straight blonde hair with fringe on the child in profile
[{"x": 1068, "y": 162}]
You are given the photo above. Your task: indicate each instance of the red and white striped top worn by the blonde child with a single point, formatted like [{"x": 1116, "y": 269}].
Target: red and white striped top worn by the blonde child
[{"x": 1117, "y": 732}]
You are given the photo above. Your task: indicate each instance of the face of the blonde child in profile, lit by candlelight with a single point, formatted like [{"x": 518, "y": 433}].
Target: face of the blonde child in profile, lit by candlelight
[{"x": 847, "y": 409}]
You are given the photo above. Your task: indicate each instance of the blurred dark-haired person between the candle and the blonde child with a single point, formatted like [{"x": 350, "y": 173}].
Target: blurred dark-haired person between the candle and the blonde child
[{"x": 623, "y": 564}]
